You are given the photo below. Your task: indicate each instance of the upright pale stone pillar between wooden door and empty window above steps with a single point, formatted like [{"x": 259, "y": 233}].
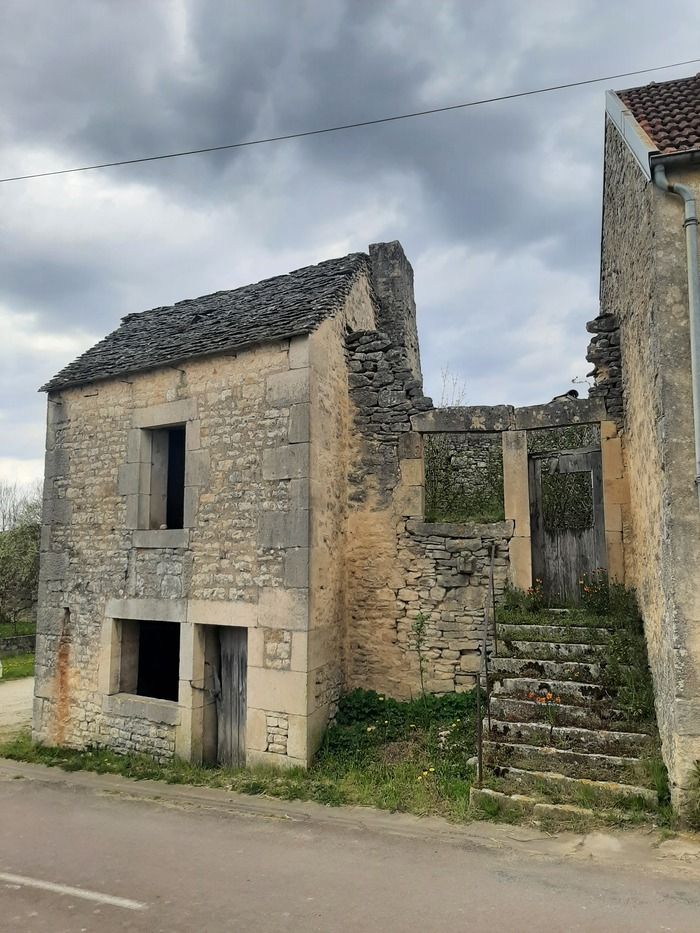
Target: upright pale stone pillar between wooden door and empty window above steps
[{"x": 516, "y": 496}]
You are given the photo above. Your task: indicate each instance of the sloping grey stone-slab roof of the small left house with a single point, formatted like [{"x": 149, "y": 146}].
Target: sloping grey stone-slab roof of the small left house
[{"x": 274, "y": 309}]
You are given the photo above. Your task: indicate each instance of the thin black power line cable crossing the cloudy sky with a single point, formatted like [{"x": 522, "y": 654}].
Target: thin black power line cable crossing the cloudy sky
[{"x": 348, "y": 126}]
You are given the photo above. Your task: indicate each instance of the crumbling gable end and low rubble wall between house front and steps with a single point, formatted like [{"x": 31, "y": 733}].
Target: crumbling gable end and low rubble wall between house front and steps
[{"x": 399, "y": 566}]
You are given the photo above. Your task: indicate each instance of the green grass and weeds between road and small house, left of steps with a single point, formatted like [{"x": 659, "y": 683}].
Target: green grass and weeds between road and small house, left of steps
[{"x": 381, "y": 753}]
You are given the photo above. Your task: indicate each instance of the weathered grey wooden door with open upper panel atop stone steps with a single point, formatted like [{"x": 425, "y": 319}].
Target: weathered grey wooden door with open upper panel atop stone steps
[{"x": 567, "y": 524}]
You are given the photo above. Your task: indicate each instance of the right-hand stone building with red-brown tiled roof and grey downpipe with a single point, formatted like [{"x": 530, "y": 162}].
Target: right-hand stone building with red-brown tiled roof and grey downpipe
[{"x": 647, "y": 367}]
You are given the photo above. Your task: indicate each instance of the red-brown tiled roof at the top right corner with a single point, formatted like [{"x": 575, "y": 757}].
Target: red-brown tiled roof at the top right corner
[{"x": 669, "y": 113}]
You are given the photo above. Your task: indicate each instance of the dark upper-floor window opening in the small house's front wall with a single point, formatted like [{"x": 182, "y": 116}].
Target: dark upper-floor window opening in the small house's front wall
[{"x": 167, "y": 477}]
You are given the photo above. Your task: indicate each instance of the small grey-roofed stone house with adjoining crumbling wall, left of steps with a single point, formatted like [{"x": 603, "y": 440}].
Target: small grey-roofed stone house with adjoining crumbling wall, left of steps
[{"x": 208, "y": 543}]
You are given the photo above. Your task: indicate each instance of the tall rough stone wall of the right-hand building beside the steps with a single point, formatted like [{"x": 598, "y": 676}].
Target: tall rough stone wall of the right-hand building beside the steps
[{"x": 643, "y": 286}]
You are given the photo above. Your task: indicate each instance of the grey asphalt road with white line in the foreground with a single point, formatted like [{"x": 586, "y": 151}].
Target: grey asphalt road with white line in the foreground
[{"x": 173, "y": 865}]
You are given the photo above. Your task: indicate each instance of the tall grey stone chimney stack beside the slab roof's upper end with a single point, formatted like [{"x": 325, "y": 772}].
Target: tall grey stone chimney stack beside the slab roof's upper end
[{"x": 392, "y": 280}]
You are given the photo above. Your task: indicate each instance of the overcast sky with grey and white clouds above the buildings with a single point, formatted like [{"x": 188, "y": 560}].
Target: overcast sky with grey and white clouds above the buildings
[{"x": 498, "y": 207}]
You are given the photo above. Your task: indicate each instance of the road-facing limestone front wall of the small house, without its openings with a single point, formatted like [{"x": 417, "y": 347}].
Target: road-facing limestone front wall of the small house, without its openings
[{"x": 246, "y": 517}]
